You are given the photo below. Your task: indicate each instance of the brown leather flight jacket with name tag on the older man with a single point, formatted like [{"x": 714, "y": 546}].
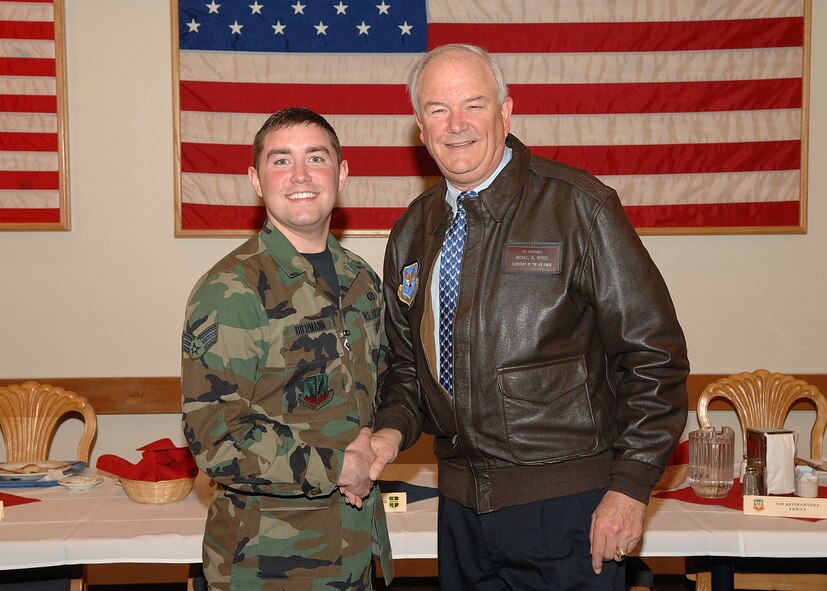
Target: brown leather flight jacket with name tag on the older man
[{"x": 569, "y": 362}]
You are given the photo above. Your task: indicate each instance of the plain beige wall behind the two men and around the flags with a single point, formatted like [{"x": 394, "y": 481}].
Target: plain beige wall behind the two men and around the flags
[{"x": 107, "y": 298}]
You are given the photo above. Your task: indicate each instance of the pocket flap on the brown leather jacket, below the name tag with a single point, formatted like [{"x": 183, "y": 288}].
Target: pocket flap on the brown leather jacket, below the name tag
[{"x": 542, "y": 382}]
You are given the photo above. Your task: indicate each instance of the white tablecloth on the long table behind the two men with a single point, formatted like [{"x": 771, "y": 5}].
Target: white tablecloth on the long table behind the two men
[{"x": 103, "y": 526}]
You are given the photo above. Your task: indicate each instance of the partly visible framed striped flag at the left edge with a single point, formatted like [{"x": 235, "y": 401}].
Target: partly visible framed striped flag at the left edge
[{"x": 34, "y": 190}]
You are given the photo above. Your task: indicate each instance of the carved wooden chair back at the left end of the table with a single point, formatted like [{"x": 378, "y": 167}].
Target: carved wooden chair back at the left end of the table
[{"x": 29, "y": 416}]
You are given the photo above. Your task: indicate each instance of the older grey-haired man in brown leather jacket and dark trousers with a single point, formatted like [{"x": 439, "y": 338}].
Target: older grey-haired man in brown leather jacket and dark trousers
[{"x": 568, "y": 364}]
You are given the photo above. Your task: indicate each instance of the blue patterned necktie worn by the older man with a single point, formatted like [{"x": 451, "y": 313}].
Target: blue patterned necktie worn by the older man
[{"x": 449, "y": 268}]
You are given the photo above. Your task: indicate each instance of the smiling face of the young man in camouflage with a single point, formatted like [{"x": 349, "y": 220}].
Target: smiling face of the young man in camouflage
[{"x": 299, "y": 178}]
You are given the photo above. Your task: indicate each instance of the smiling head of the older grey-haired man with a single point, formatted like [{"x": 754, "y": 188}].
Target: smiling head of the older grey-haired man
[{"x": 461, "y": 122}]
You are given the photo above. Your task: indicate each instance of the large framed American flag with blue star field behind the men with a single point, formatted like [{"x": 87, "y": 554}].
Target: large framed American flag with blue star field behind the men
[{"x": 694, "y": 111}]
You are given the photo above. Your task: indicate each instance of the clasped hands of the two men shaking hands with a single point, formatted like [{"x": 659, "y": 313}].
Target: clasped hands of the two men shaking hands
[{"x": 365, "y": 458}]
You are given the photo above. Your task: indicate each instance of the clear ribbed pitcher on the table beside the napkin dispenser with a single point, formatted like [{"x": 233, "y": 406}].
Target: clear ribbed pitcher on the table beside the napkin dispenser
[{"x": 711, "y": 461}]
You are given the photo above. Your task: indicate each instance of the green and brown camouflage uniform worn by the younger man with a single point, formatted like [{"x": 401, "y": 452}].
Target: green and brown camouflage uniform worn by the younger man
[{"x": 278, "y": 376}]
